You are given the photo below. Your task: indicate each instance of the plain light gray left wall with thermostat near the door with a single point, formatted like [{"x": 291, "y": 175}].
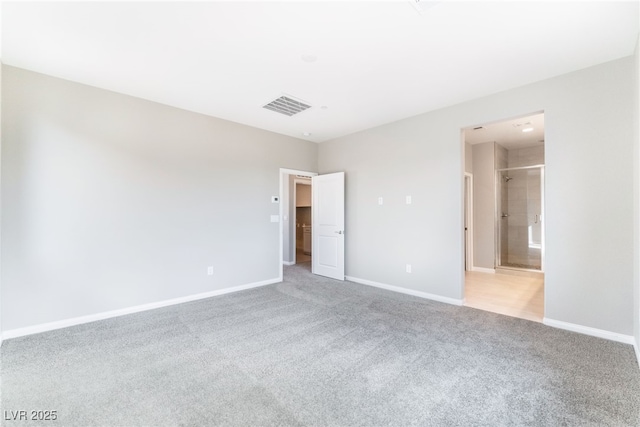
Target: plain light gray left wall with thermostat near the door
[{"x": 110, "y": 201}]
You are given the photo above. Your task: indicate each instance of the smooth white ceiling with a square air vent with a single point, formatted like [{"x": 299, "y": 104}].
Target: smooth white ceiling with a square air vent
[{"x": 359, "y": 64}]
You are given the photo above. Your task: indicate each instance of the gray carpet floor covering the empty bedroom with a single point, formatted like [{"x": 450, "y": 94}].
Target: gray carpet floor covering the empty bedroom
[{"x": 317, "y": 352}]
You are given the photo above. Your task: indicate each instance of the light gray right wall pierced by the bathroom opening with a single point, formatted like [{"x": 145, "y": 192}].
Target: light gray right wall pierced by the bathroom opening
[{"x": 589, "y": 141}]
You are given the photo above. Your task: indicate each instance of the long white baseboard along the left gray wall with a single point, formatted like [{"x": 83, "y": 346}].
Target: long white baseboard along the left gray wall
[{"x": 44, "y": 327}]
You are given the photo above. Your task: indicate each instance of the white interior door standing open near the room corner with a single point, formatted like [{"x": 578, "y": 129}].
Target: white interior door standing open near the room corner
[{"x": 328, "y": 225}]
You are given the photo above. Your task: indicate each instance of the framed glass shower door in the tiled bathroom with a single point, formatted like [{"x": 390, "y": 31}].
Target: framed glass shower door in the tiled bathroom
[{"x": 519, "y": 217}]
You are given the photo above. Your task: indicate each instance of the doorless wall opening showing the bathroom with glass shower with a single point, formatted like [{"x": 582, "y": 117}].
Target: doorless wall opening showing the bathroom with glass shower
[{"x": 504, "y": 217}]
